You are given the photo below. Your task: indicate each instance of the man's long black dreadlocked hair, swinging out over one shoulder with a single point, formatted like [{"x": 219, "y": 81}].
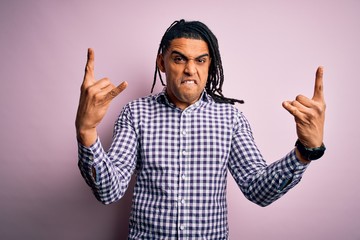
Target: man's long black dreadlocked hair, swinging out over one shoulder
[{"x": 197, "y": 30}]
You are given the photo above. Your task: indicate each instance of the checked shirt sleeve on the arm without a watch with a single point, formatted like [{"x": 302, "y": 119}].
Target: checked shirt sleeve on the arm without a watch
[{"x": 109, "y": 173}]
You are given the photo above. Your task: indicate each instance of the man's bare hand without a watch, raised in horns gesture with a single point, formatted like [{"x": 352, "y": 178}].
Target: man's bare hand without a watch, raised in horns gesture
[{"x": 95, "y": 98}]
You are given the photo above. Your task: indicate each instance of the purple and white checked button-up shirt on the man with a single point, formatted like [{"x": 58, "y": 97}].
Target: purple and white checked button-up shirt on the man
[{"x": 181, "y": 159}]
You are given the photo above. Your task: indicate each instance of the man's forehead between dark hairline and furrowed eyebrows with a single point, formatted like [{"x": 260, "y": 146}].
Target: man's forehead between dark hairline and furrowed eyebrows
[{"x": 188, "y": 47}]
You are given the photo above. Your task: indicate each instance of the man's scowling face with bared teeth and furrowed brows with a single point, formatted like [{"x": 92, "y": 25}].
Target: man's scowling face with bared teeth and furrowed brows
[{"x": 186, "y": 66}]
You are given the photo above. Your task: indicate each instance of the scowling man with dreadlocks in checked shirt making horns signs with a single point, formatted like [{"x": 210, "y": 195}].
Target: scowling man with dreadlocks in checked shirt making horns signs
[{"x": 181, "y": 142}]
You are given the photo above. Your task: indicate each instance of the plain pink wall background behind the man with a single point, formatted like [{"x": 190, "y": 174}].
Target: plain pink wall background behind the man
[{"x": 270, "y": 52}]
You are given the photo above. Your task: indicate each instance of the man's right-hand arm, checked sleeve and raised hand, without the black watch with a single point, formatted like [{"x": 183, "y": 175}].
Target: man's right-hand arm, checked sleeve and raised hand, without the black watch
[{"x": 264, "y": 184}]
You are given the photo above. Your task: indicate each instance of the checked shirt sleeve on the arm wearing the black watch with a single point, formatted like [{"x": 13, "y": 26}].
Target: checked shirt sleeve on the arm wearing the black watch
[{"x": 259, "y": 182}]
